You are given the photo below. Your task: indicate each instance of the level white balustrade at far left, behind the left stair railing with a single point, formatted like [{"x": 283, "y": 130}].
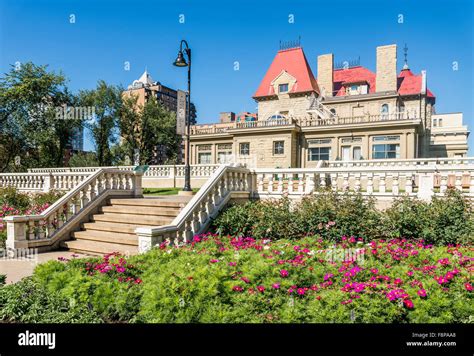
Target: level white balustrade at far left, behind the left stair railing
[{"x": 41, "y": 182}]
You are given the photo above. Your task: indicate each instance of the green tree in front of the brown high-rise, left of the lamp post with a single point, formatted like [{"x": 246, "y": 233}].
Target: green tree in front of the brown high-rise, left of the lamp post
[{"x": 144, "y": 128}]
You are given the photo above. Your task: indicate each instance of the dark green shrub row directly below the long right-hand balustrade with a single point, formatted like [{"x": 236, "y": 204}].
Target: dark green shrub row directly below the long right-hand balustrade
[{"x": 446, "y": 220}]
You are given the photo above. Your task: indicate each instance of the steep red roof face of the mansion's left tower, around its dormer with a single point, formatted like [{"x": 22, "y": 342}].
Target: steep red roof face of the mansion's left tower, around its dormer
[{"x": 294, "y": 62}]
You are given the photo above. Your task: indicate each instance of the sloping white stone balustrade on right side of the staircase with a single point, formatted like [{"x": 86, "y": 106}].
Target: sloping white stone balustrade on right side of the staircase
[{"x": 226, "y": 182}]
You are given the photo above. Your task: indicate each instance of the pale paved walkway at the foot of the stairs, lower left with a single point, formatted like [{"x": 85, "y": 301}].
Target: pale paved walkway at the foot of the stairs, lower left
[{"x": 18, "y": 269}]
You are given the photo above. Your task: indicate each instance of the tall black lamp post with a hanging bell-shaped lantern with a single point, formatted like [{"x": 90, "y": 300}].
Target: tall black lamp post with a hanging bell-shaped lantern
[{"x": 181, "y": 62}]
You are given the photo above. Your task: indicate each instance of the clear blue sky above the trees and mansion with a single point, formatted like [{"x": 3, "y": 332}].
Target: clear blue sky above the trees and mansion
[{"x": 108, "y": 33}]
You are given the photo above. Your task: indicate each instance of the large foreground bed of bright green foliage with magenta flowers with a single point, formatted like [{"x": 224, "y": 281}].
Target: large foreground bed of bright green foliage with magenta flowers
[{"x": 242, "y": 279}]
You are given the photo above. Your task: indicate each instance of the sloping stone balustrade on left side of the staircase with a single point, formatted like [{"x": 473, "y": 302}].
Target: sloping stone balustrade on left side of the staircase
[{"x": 46, "y": 230}]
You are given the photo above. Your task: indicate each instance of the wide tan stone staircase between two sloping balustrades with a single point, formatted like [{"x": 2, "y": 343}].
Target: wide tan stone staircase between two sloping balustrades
[{"x": 113, "y": 228}]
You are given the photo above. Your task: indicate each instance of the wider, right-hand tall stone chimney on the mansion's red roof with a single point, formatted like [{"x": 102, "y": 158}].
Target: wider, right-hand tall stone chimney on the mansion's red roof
[{"x": 386, "y": 79}]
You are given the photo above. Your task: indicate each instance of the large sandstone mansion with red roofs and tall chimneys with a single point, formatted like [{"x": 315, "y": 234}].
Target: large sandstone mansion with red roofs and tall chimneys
[{"x": 345, "y": 113}]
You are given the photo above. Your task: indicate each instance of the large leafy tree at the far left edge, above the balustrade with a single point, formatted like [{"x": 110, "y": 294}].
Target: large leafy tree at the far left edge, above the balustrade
[{"x": 29, "y": 125}]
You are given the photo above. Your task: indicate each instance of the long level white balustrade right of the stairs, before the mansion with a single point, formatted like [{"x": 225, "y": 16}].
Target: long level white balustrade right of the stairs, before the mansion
[{"x": 379, "y": 181}]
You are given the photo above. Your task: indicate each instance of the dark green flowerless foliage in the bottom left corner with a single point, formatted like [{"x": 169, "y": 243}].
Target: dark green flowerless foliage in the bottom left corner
[{"x": 29, "y": 302}]
